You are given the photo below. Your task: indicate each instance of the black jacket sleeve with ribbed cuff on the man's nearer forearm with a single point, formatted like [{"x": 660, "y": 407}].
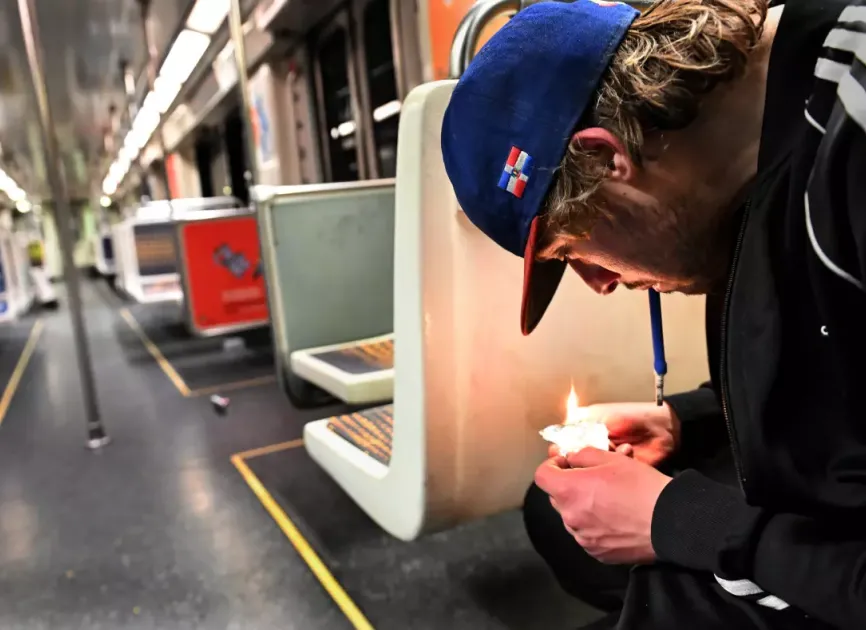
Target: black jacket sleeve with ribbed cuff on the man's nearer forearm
[{"x": 819, "y": 566}]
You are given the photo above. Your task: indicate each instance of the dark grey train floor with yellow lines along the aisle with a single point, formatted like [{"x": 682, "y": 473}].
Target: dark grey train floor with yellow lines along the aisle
[{"x": 193, "y": 519}]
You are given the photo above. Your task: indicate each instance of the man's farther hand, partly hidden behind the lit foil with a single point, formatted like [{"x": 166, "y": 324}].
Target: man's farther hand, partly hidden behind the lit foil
[{"x": 652, "y": 432}]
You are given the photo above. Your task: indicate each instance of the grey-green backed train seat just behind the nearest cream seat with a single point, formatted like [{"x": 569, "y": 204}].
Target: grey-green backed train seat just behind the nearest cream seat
[{"x": 333, "y": 327}]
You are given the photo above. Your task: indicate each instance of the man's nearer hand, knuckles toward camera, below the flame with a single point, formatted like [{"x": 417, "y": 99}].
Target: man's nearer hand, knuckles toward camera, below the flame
[{"x": 606, "y": 501}]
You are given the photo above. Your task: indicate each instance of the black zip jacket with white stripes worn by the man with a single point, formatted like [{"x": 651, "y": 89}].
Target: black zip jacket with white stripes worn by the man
[{"x": 789, "y": 372}]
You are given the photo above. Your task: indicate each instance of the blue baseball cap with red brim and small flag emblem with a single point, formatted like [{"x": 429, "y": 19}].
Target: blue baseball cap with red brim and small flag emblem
[{"x": 511, "y": 118}]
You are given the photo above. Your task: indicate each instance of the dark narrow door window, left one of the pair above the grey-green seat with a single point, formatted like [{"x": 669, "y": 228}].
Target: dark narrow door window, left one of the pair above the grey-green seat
[{"x": 337, "y": 99}]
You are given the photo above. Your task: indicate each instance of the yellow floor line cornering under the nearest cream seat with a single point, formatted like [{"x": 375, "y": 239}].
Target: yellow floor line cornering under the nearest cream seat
[{"x": 304, "y": 549}]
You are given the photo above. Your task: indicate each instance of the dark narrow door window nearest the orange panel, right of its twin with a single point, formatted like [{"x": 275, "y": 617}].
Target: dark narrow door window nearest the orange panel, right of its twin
[{"x": 381, "y": 79}]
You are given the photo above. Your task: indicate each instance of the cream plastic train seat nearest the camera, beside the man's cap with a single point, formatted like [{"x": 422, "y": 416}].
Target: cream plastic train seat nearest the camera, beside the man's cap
[{"x": 470, "y": 392}]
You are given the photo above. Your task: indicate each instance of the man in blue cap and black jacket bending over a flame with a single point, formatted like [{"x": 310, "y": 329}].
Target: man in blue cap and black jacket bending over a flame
[{"x": 709, "y": 147}]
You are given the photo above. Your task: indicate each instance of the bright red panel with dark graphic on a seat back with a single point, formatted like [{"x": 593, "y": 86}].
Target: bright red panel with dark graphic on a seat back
[{"x": 225, "y": 279}]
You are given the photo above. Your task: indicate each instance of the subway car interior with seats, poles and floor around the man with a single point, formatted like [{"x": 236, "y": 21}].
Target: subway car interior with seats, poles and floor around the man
[{"x": 289, "y": 389}]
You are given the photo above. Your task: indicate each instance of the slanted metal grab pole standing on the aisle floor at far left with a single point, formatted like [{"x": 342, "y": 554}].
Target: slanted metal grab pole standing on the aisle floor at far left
[{"x": 96, "y": 436}]
